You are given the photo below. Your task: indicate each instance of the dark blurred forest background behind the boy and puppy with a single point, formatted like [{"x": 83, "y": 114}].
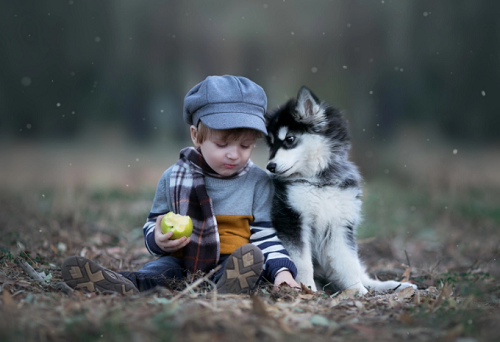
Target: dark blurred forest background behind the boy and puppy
[{"x": 83, "y": 79}]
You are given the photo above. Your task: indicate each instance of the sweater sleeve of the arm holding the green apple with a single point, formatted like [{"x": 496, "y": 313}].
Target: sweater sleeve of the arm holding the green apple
[{"x": 161, "y": 205}]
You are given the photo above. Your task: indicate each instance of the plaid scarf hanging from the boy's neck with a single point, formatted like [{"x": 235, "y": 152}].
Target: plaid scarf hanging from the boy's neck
[{"x": 189, "y": 197}]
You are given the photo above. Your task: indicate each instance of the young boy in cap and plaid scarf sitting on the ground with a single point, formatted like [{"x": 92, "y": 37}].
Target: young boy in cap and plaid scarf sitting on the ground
[{"x": 227, "y": 197}]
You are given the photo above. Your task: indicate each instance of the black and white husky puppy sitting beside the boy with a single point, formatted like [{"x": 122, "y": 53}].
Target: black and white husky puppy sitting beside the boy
[{"x": 317, "y": 205}]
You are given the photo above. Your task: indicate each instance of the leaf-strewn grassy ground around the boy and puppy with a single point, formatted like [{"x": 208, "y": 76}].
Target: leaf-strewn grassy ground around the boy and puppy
[{"x": 433, "y": 221}]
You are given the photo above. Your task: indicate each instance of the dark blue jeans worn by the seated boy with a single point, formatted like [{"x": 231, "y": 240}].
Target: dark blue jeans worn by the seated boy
[{"x": 159, "y": 271}]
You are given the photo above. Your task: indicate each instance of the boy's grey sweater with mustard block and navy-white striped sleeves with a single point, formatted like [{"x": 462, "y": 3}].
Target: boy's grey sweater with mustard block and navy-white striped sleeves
[{"x": 242, "y": 199}]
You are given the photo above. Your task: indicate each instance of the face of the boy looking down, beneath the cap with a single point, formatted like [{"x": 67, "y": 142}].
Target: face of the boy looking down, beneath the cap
[{"x": 225, "y": 157}]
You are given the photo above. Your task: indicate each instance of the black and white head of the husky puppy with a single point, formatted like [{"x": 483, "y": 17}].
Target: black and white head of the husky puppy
[{"x": 305, "y": 136}]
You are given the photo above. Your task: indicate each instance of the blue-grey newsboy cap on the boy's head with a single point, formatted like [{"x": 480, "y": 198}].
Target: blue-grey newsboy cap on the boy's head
[{"x": 225, "y": 102}]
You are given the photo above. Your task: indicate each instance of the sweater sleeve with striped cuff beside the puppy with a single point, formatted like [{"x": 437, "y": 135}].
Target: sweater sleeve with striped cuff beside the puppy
[{"x": 264, "y": 236}]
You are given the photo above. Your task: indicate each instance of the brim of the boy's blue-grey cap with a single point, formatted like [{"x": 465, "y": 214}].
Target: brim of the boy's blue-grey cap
[{"x": 235, "y": 120}]
